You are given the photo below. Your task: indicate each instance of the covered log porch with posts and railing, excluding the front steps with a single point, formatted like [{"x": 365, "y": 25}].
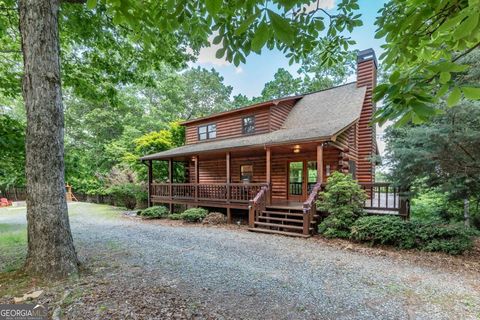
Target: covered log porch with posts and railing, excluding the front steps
[{"x": 232, "y": 178}]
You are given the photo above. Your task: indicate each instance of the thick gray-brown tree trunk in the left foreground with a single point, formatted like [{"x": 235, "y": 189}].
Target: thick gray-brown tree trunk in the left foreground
[{"x": 51, "y": 253}]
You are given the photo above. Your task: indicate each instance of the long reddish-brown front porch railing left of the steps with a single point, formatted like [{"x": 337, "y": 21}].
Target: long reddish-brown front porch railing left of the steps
[{"x": 224, "y": 192}]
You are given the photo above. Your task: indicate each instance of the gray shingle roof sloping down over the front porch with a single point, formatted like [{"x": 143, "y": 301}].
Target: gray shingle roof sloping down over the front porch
[{"x": 318, "y": 115}]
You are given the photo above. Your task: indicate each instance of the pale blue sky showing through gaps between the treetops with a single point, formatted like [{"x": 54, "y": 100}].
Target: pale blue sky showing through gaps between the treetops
[{"x": 249, "y": 78}]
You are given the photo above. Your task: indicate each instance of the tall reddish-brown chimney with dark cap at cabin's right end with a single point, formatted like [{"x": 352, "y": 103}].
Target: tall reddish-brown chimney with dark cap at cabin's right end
[{"x": 366, "y": 133}]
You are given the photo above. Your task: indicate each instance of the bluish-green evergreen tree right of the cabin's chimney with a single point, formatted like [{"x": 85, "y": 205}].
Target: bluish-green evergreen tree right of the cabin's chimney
[{"x": 444, "y": 152}]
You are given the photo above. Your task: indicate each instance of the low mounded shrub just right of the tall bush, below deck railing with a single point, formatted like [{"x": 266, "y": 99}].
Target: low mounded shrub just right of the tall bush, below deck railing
[{"x": 383, "y": 230}]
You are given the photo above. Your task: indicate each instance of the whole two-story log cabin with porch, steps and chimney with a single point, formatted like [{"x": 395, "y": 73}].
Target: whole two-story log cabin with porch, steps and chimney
[{"x": 271, "y": 158}]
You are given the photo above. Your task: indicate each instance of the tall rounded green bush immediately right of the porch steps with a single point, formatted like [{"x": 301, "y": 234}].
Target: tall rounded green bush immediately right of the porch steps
[{"x": 343, "y": 200}]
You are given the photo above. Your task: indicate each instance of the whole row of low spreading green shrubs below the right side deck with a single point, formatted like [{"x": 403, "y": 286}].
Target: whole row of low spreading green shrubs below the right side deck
[{"x": 423, "y": 235}]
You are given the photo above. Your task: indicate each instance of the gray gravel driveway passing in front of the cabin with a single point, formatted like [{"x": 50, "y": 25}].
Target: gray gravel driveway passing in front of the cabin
[{"x": 238, "y": 274}]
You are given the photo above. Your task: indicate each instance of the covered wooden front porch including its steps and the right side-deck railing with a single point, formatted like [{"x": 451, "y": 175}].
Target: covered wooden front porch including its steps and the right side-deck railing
[{"x": 273, "y": 185}]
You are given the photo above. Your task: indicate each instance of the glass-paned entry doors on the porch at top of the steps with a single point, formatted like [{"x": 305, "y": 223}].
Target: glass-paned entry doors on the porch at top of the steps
[{"x": 302, "y": 176}]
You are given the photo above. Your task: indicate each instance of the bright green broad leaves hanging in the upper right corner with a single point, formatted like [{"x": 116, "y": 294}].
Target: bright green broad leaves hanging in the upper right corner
[{"x": 425, "y": 41}]
